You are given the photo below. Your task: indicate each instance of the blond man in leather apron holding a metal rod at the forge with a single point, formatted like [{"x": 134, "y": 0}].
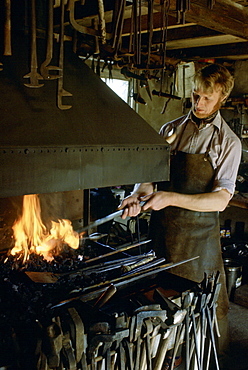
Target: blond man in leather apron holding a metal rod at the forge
[{"x": 204, "y": 163}]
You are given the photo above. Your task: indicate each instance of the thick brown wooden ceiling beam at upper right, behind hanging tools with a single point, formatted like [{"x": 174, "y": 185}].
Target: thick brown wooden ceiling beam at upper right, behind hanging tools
[{"x": 225, "y": 17}]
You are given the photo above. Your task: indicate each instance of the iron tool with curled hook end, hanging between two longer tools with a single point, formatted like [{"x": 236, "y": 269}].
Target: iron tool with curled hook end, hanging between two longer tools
[{"x": 45, "y": 68}]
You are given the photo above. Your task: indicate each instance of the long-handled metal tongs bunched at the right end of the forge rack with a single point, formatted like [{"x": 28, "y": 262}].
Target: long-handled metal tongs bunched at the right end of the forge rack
[{"x": 201, "y": 325}]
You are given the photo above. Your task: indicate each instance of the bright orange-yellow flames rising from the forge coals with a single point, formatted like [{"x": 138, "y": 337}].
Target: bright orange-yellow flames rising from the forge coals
[{"x": 32, "y": 236}]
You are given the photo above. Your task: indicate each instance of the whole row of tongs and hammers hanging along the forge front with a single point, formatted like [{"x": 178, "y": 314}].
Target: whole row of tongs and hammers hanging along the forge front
[{"x": 140, "y": 341}]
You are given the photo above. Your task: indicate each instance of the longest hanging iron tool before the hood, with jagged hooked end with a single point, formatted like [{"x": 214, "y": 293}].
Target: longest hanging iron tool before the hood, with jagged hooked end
[{"x": 61, "y": 92}]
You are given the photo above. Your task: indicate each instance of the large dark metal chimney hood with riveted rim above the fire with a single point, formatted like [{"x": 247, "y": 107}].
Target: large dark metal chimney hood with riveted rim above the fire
[{"x": 99, "y": 142}]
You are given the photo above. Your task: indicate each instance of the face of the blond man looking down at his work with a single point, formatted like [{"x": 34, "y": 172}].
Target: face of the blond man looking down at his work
[{"x": 205, "y": 103}]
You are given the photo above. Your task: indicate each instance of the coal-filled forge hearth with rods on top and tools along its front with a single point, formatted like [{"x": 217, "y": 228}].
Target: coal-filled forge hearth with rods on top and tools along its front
[{"x": 97, "y": 315}]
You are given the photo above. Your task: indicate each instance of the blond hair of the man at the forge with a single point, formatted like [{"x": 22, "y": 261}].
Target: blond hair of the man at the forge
[{"x": 211, "y": 75}]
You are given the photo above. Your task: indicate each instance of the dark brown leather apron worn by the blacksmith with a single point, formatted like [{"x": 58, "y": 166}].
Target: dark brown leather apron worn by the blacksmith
[{"x": 180, "y": 234}]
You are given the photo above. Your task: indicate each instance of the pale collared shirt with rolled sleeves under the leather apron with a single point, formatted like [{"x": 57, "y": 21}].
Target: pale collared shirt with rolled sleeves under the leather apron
[{"x": 225, "y": 149}]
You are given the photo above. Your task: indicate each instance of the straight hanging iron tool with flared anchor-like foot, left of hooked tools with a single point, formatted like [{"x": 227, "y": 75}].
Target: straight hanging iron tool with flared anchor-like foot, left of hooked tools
[{"x": 33, "y": 75}]
